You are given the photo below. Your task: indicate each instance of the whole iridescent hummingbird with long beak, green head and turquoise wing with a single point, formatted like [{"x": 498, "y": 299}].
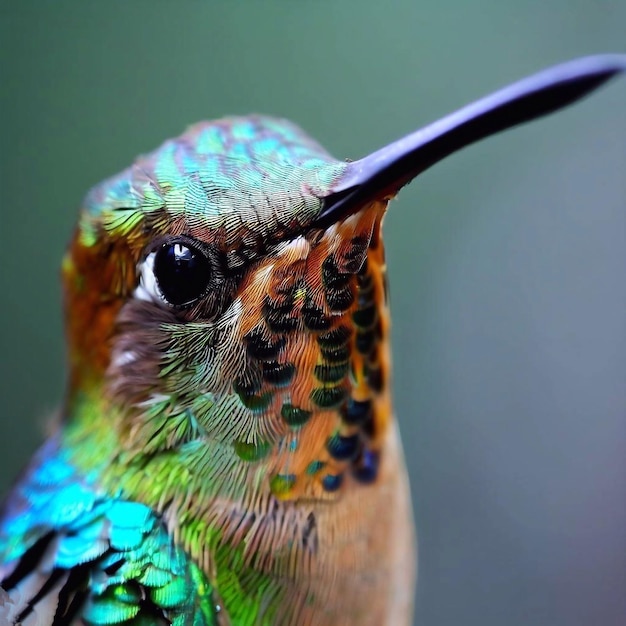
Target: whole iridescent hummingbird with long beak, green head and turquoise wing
[{"x": 227, "y": 452}]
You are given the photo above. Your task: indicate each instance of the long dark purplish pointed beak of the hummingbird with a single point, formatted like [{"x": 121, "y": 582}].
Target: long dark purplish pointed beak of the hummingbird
[{"x": 385, "y": 171}]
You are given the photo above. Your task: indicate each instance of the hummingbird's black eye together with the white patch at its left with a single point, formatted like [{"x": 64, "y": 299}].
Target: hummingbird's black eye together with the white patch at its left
[{"x": 177, "y": 272}]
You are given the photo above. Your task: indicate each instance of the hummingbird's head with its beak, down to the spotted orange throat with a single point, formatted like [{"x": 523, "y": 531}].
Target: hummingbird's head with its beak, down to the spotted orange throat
[{"x": 226, "y": 294}]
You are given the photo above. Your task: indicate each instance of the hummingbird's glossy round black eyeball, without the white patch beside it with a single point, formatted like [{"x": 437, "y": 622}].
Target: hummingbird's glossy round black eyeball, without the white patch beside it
[{"x": 182, "y": 272}]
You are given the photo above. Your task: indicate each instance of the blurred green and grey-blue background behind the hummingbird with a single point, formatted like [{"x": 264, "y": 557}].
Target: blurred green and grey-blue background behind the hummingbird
[{"x": 506, "y": 261}]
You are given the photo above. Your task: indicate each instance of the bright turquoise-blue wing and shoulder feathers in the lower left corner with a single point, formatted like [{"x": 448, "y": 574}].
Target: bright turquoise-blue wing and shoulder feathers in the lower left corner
[{"x": 126, "y": 562}]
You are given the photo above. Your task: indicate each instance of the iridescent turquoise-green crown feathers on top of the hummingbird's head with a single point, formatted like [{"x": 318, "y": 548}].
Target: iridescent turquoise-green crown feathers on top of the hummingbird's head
[{"x": 254, "y": 173}]
